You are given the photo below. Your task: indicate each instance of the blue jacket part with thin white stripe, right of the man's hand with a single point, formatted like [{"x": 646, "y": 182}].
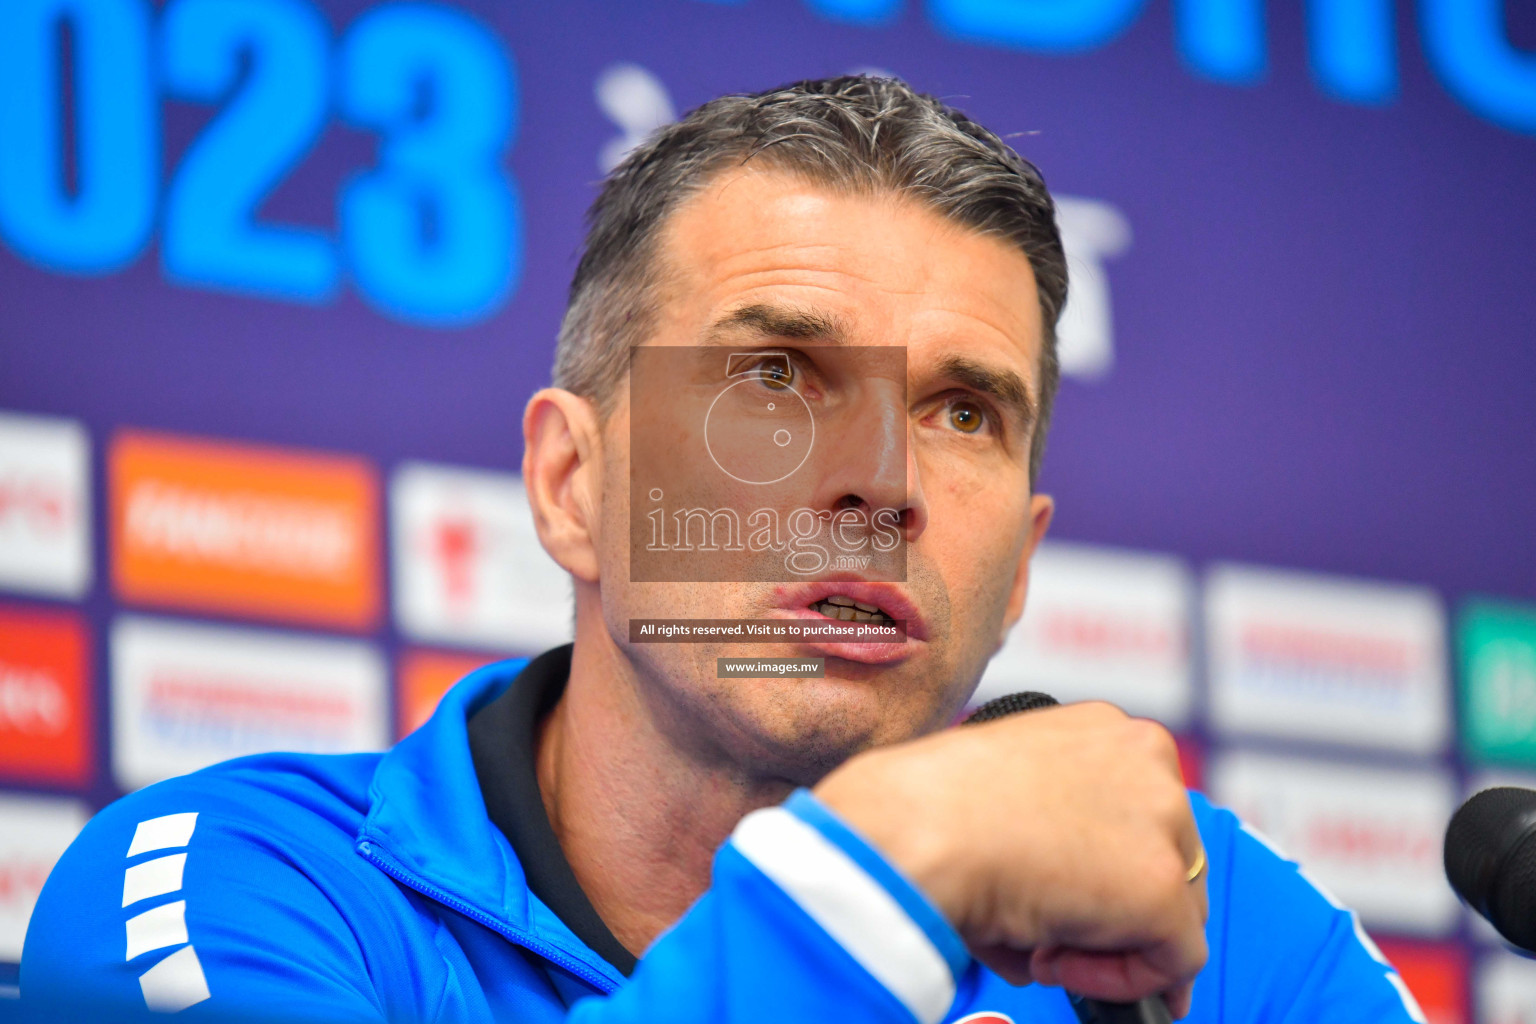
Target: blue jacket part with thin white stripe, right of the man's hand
[{"x": 1293, "y": 954}]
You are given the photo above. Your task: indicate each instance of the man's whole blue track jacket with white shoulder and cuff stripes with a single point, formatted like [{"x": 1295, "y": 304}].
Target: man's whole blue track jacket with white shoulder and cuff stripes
[{"x": 368, "y": 888}]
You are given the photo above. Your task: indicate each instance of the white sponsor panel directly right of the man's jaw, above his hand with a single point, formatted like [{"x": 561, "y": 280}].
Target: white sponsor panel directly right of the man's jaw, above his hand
[{"x": 1102, "y": 624}]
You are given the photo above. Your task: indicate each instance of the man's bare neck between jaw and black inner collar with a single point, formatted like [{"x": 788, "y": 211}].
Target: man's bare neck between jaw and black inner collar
[{"x": 640, "y": 819}]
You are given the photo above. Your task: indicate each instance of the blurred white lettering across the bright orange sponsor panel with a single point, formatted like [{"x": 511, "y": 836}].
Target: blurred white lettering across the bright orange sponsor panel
[{"x": 251, "y": 530}]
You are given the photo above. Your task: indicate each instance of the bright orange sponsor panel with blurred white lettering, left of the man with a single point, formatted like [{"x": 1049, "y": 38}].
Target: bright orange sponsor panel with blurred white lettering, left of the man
[{"x": 247, "y": 530}]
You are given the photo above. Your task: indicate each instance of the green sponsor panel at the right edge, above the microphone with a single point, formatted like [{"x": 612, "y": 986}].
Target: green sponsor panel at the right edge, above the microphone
[{"x": 1497, "y": 647}]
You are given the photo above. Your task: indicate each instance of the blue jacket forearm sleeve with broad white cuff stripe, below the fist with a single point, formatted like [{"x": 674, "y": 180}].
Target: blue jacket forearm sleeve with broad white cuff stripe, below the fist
[{"x": 804, "y": 922}]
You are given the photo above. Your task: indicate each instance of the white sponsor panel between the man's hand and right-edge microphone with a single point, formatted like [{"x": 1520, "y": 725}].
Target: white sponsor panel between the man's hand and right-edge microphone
[{"x": 1372, "y": 836}]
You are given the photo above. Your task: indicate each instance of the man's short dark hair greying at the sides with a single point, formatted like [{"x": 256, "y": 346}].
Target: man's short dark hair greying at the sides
[{"x": 855, "y": 133}]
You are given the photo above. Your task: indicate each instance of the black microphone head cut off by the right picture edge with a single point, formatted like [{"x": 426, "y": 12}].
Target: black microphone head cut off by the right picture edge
[{"x": 1491, "y": 860}]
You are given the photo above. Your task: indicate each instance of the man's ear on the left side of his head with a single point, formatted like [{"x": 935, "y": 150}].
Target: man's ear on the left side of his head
[{"x": 563, "y": 472}]
